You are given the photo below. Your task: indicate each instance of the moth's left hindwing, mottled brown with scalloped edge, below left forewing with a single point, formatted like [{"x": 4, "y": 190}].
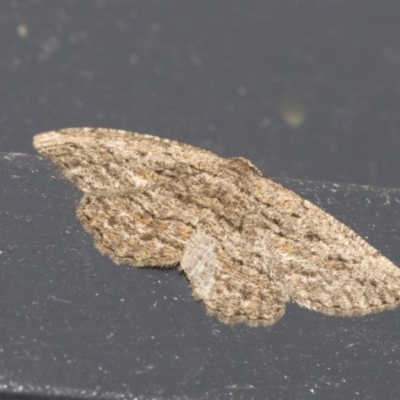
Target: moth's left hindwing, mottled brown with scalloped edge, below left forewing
[{"x": 133, "y": 230}]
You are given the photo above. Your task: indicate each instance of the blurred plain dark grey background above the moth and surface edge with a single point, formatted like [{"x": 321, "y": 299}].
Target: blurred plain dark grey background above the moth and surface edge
[{"x": 215, "y": 74}]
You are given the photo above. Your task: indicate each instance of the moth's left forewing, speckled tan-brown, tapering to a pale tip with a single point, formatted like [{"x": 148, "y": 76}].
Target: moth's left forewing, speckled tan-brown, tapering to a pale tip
[{"x": 114, "y": 160}]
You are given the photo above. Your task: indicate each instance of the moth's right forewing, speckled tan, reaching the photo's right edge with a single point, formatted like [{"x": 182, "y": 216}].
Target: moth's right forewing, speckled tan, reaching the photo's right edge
[{"x": 328, "y": 267}]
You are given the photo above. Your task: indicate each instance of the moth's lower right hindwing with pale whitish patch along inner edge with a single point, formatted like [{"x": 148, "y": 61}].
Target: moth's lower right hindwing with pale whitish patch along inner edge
[{"x": 236, "y": 280}]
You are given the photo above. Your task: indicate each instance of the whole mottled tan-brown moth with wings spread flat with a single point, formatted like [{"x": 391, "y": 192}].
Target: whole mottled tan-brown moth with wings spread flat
[{"x": 246, "y": 244}]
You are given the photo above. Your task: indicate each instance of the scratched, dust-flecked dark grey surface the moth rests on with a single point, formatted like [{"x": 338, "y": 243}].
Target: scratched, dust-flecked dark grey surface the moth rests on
[{"x": 75, "y": 324}]
